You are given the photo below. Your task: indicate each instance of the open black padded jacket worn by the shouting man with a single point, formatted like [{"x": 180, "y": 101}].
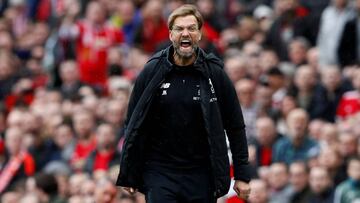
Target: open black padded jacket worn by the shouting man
[{"x": 221, "y": 111}]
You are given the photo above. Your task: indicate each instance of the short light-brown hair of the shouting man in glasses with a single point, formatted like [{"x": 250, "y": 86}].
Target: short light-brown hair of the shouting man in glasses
[{"x": 185, "y": 10}]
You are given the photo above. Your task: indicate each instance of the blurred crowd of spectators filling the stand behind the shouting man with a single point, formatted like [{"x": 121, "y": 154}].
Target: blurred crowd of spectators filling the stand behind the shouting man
[{"x": 67, "y": 69}]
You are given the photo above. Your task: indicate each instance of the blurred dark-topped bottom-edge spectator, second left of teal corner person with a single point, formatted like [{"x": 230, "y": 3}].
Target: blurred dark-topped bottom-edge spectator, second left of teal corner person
[{"x": 299, "y": 177}]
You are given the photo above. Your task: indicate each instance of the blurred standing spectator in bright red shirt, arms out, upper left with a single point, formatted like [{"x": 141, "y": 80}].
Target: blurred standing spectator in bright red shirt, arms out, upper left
[{"x": 93, "y": 38}]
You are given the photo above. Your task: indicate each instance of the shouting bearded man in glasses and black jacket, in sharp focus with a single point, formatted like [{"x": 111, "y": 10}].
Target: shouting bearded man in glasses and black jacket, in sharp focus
[{"x": 182, "y": 103}]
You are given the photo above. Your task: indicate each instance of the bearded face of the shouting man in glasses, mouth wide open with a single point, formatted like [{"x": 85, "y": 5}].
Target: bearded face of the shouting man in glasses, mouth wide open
[{"x": 185, "y": 36}]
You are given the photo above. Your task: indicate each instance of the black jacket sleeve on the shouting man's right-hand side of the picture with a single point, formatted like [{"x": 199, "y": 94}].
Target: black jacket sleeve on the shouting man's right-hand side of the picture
[{"x": 234, "y": 126}]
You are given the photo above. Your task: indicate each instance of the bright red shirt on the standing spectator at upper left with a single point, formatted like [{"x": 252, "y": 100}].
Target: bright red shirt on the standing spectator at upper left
[{"x": 92, "y": 45}]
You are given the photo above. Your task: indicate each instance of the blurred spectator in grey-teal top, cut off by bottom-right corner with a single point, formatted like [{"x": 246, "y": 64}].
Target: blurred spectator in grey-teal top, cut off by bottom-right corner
[{"x": 349, "y": 191}]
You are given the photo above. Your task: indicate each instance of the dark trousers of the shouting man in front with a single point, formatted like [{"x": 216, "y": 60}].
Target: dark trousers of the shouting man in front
[{"x": 166, "y": 186}]
